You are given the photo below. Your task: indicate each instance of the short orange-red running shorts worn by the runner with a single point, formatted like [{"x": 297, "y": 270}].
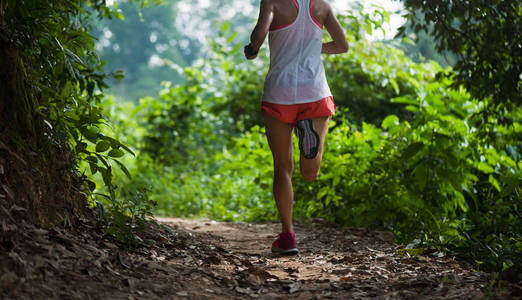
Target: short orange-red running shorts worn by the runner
[{"x": 291, "y": 113}]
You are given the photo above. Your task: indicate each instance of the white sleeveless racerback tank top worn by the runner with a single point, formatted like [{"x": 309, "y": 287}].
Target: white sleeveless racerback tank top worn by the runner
[{"x": 296, "y": 74}]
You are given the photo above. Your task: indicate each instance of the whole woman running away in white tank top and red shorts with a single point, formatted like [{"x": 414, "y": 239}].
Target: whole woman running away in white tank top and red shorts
[{"x": 296, "y": 93}]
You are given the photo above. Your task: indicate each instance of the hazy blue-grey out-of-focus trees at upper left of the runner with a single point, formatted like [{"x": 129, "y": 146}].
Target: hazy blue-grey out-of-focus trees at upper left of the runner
[{"x": 141, "y": 41}]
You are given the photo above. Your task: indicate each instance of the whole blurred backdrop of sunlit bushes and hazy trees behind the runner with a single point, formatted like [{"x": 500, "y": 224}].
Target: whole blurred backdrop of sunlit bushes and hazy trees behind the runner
[{"x": 405, "y": 152}]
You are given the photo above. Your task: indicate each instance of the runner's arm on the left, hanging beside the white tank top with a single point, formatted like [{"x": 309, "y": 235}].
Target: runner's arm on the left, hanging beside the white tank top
[{"x": 266, "y": 15}]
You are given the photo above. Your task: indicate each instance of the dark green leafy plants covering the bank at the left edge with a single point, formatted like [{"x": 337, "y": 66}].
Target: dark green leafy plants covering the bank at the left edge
[{"x": 58, "y": 99}]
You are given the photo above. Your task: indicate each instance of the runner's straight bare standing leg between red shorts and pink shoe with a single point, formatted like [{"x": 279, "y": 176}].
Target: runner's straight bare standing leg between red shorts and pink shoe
[{"x": 279, "y": 136}]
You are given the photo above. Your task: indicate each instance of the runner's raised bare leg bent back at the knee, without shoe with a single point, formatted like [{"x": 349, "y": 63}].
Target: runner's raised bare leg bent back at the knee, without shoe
[{"x": 310, "y": 167}]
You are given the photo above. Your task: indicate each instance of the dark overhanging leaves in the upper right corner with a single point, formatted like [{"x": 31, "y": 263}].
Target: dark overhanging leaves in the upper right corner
[{"x": 485, "y": 35}]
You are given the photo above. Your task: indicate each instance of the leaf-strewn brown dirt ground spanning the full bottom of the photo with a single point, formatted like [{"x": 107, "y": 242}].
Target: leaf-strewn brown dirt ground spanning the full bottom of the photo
[{"x": 188, "y": 259}]
